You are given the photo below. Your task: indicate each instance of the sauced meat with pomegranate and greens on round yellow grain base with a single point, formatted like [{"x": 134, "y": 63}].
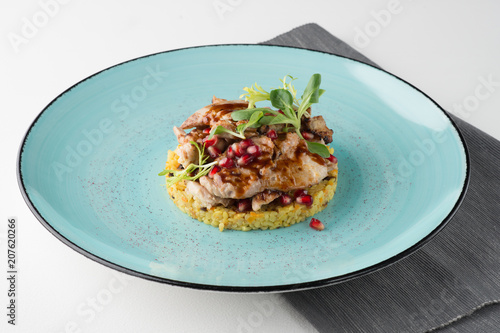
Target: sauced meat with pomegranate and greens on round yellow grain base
[{"x": 242, "y": 167}]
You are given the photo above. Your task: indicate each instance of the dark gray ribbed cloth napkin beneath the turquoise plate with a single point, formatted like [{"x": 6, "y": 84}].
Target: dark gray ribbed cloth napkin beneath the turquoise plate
[{"x": 452, "y": 284}]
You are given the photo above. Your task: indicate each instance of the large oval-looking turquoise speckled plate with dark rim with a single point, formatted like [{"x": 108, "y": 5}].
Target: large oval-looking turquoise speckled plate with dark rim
[{"x": 88, "y": 170}]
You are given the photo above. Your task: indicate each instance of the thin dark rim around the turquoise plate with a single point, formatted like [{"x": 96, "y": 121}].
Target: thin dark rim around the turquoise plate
[{"x": 247, "y": 289}]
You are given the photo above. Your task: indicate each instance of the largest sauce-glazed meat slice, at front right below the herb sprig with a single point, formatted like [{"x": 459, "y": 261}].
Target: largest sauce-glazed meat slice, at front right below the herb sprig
[{"x": 285, "y": 164}]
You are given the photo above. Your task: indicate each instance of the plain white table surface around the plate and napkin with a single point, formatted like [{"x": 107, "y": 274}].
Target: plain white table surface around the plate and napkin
[{"x": 450, "y": 49}]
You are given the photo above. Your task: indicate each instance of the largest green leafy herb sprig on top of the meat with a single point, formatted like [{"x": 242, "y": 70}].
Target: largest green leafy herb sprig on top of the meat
[{"x": 284, "y": 99}]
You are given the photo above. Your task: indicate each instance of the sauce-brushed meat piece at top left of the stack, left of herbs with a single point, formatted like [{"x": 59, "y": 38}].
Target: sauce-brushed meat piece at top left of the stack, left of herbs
[{"x": 214, "y": 114}]
